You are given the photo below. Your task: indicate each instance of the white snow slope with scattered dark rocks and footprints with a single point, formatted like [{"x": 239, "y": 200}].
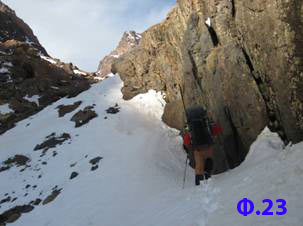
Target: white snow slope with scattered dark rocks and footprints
[{"x": 139, "y": 179}]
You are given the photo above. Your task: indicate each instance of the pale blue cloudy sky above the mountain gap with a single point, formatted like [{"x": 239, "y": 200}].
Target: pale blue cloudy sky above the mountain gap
[{"x": 83, "y": 32}]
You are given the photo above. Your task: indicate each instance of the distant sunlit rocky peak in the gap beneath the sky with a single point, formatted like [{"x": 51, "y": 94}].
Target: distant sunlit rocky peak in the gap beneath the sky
[{"x": 128, "y": 42}]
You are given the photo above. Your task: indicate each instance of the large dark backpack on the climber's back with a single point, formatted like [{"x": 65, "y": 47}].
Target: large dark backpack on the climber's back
[{"x": 199, "y": 126}]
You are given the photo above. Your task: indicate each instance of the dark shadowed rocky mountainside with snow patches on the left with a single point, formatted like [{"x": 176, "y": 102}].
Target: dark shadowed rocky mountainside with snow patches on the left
[{"x": 30, "y": 79}]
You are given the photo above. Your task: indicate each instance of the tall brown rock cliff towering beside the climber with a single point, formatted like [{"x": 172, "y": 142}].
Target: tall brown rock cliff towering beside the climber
[{"x": 241, "y": 59}]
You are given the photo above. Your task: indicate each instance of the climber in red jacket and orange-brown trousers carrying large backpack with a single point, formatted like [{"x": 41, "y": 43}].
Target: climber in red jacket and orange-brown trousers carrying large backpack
[{"x": 198, "y": 142}]
